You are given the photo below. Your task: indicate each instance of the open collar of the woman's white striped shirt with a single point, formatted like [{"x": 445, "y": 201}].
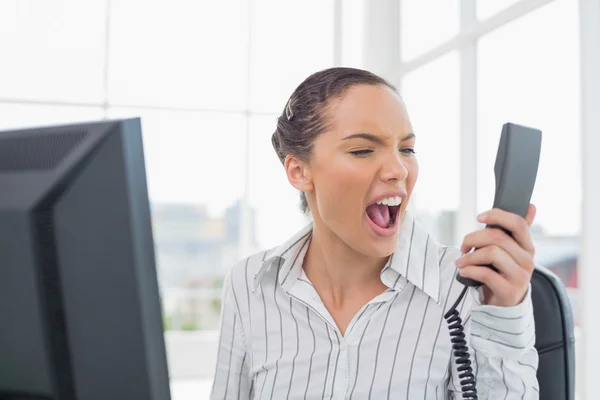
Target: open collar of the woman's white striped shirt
[{"x": 416, "y": 259}]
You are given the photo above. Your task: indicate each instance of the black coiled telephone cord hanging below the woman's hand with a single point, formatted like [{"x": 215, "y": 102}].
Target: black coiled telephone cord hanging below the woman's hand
[{"x": 461, "y": 350}]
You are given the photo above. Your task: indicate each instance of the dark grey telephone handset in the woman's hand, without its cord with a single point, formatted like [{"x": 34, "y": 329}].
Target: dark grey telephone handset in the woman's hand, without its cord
[{"x": 516, "y": 168}]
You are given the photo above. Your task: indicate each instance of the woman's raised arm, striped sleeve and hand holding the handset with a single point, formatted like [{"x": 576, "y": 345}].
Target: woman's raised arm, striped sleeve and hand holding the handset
[{"x": 502, "y": 329}]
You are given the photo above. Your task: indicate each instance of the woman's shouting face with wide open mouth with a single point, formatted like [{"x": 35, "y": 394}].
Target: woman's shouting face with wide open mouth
[{"x": 363, "y": 170}]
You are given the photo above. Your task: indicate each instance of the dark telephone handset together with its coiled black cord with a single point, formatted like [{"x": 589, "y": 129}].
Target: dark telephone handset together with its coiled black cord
[{"x": 516, "y": 169}]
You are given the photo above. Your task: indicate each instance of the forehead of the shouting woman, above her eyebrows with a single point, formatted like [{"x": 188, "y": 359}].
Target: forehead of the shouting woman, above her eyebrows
[{"x": 369, "y": 109}]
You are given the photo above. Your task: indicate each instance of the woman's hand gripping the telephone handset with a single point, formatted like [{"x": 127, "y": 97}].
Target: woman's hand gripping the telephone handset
[{"x": 513, "y": 257}]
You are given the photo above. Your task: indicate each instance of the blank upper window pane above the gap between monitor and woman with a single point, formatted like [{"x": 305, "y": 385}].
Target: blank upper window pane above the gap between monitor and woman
[{"x": 179, "y": 53}]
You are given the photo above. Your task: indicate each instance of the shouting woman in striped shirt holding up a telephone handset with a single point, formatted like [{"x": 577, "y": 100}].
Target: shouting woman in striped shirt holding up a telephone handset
[{"x": 352, "y": 307}]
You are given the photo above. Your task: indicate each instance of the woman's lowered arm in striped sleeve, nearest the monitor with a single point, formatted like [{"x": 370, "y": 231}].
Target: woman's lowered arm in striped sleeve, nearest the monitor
[{"x": 232, "y": 373}]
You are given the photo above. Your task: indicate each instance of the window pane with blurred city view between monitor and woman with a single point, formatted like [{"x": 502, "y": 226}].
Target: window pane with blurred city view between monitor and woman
[{"x": 194, "y": 164}]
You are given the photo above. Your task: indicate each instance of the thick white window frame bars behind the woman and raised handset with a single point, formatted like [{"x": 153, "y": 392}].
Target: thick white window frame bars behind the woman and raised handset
[{"x": 379, "y": 27}]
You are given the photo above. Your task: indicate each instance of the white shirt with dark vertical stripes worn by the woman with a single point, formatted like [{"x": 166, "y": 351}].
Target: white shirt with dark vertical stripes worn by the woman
[{"x": 278, "y": 341}]
